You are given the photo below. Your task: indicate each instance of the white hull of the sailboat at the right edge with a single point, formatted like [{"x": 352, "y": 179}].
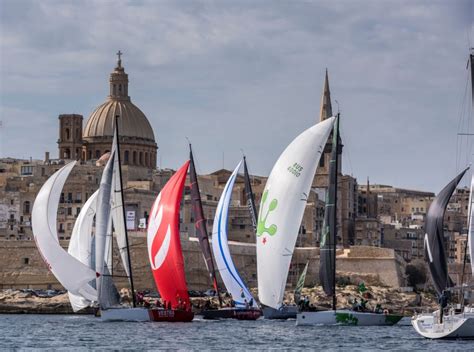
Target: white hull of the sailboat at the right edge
[{"x": 454, "y": 325}]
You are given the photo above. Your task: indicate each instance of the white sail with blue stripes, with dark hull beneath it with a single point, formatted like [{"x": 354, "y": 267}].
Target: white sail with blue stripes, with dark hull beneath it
[{"x": 245, "y": 306}]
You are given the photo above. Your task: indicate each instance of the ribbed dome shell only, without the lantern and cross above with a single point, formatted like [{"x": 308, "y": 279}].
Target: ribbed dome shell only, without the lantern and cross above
[{"x": 132, "y": 121}]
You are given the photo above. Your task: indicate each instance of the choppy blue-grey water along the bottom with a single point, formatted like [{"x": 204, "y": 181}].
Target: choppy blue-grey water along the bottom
[{"x": 65, "y": 332}]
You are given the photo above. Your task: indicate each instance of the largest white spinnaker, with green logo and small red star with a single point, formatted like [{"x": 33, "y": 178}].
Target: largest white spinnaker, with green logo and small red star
[{"x": 282, "y": 207}]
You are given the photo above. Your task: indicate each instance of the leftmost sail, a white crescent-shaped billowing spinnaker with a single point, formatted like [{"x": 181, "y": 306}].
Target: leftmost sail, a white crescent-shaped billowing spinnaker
[{"x": 69, "y": 271}]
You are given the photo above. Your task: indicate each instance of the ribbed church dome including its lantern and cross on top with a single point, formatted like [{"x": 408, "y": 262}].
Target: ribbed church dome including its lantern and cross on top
[{"x": 133, "y": 123}]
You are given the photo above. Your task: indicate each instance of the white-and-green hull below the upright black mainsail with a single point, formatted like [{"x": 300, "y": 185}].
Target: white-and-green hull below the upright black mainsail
[{"x": 346, "y": 317}]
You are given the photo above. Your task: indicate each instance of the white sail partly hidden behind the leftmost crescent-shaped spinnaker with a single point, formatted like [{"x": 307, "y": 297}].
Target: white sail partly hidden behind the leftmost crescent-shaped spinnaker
[{"x": 80, "y": 245}]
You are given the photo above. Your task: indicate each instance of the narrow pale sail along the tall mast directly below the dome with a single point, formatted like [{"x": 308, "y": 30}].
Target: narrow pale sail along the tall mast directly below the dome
[{"x": 118, "y": 211}]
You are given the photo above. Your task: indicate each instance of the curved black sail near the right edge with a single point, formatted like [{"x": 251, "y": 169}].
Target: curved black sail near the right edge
[{"x": 434, "y": 237}]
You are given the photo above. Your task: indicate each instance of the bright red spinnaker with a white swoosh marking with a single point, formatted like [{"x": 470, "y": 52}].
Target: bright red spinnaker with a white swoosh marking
[{"x": 164, "y": 244}]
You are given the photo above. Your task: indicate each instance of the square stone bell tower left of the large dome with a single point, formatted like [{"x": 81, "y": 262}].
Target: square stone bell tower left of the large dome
[{"x": 70, "y": 136}]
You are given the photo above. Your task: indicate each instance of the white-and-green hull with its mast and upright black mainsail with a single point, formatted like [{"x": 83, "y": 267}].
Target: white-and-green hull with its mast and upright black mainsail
[{"x": 327, "y": 268}]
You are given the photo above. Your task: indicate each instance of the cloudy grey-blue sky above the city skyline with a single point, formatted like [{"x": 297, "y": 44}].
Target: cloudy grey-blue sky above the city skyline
[{"x": 239, "y": 75}]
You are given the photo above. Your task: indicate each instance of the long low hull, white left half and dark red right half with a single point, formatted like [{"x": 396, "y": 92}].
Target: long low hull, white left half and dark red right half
[{"x": 146, "y": 314}]
